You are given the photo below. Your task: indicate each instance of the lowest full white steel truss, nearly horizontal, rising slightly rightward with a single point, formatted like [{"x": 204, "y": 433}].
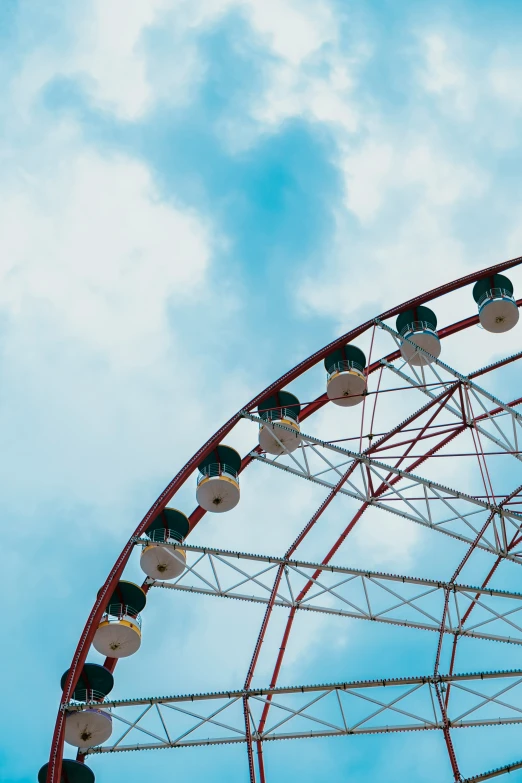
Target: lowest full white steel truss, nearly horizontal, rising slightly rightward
[{"x": 302, "y": 712}]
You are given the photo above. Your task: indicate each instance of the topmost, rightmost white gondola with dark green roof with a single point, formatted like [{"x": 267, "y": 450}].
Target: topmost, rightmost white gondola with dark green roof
[{"x": 498, "y": 311}]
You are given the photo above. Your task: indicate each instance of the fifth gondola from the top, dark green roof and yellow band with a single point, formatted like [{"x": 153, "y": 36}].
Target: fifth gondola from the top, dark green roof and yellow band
[{"x": 218, "y": 480}]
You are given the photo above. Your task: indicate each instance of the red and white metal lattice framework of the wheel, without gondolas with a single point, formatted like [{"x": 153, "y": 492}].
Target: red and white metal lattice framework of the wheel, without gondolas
[{"x": 390, "y": 472}]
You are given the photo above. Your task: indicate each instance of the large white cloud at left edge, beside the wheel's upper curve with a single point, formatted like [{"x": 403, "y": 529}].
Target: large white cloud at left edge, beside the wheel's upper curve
[{"x": 93, "y": 264}]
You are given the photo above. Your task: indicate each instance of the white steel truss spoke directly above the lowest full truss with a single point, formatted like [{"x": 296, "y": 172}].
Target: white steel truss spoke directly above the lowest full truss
[{"x": 354, "y": 593}]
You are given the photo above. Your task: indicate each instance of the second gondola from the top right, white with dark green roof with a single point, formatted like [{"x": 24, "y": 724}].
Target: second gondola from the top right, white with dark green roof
[{"x": 417, "y": 328}]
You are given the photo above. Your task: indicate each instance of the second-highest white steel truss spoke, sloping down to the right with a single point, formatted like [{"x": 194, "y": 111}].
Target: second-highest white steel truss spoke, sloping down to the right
[{"x": 421, "y": 500}]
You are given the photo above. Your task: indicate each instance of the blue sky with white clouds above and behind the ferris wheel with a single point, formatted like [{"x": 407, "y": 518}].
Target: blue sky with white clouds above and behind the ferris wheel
[{"x": 195, "y": 195}]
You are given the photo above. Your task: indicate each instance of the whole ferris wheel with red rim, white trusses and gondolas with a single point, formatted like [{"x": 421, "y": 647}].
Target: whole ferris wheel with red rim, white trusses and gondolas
[{"x": 408, "y": 425}]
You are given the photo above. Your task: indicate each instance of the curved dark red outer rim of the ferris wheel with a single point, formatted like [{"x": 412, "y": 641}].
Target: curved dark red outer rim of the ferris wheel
[{"x": 84, "y": 644}]
